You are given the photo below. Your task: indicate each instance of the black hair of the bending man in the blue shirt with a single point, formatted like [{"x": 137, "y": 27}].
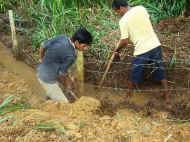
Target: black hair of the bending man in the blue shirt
[{"x": 83, "y": 36}]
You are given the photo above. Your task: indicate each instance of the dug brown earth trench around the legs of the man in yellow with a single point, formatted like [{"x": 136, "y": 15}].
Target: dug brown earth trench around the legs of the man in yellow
[{"x": 148, "y": 96}]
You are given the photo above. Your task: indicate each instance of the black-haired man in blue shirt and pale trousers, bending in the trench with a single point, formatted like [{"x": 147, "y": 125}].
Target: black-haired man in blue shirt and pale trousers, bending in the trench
[{"x": 56, "y": 57}]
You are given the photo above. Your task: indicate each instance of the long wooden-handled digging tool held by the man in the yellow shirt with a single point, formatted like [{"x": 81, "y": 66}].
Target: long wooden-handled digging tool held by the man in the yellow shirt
[{"x": 108, "y": 67}]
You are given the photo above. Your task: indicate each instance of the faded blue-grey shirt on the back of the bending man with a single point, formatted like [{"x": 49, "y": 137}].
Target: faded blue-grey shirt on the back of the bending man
[{"x": 60, "y": 54}]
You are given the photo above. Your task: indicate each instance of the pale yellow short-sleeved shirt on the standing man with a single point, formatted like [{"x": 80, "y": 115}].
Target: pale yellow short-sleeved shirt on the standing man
[{"x": 136, "y": 26}]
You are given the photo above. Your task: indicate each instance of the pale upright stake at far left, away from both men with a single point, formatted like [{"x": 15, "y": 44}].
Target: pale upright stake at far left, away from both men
[{"x": 15, "y": 48}]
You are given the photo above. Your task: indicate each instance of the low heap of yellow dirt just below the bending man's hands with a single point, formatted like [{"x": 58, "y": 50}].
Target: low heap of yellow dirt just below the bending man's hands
[{"x": 83, "y": 108}]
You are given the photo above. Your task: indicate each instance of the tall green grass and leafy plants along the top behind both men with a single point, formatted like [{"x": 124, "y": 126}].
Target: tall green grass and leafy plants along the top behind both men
[{"x": 46, "y": 19}]
